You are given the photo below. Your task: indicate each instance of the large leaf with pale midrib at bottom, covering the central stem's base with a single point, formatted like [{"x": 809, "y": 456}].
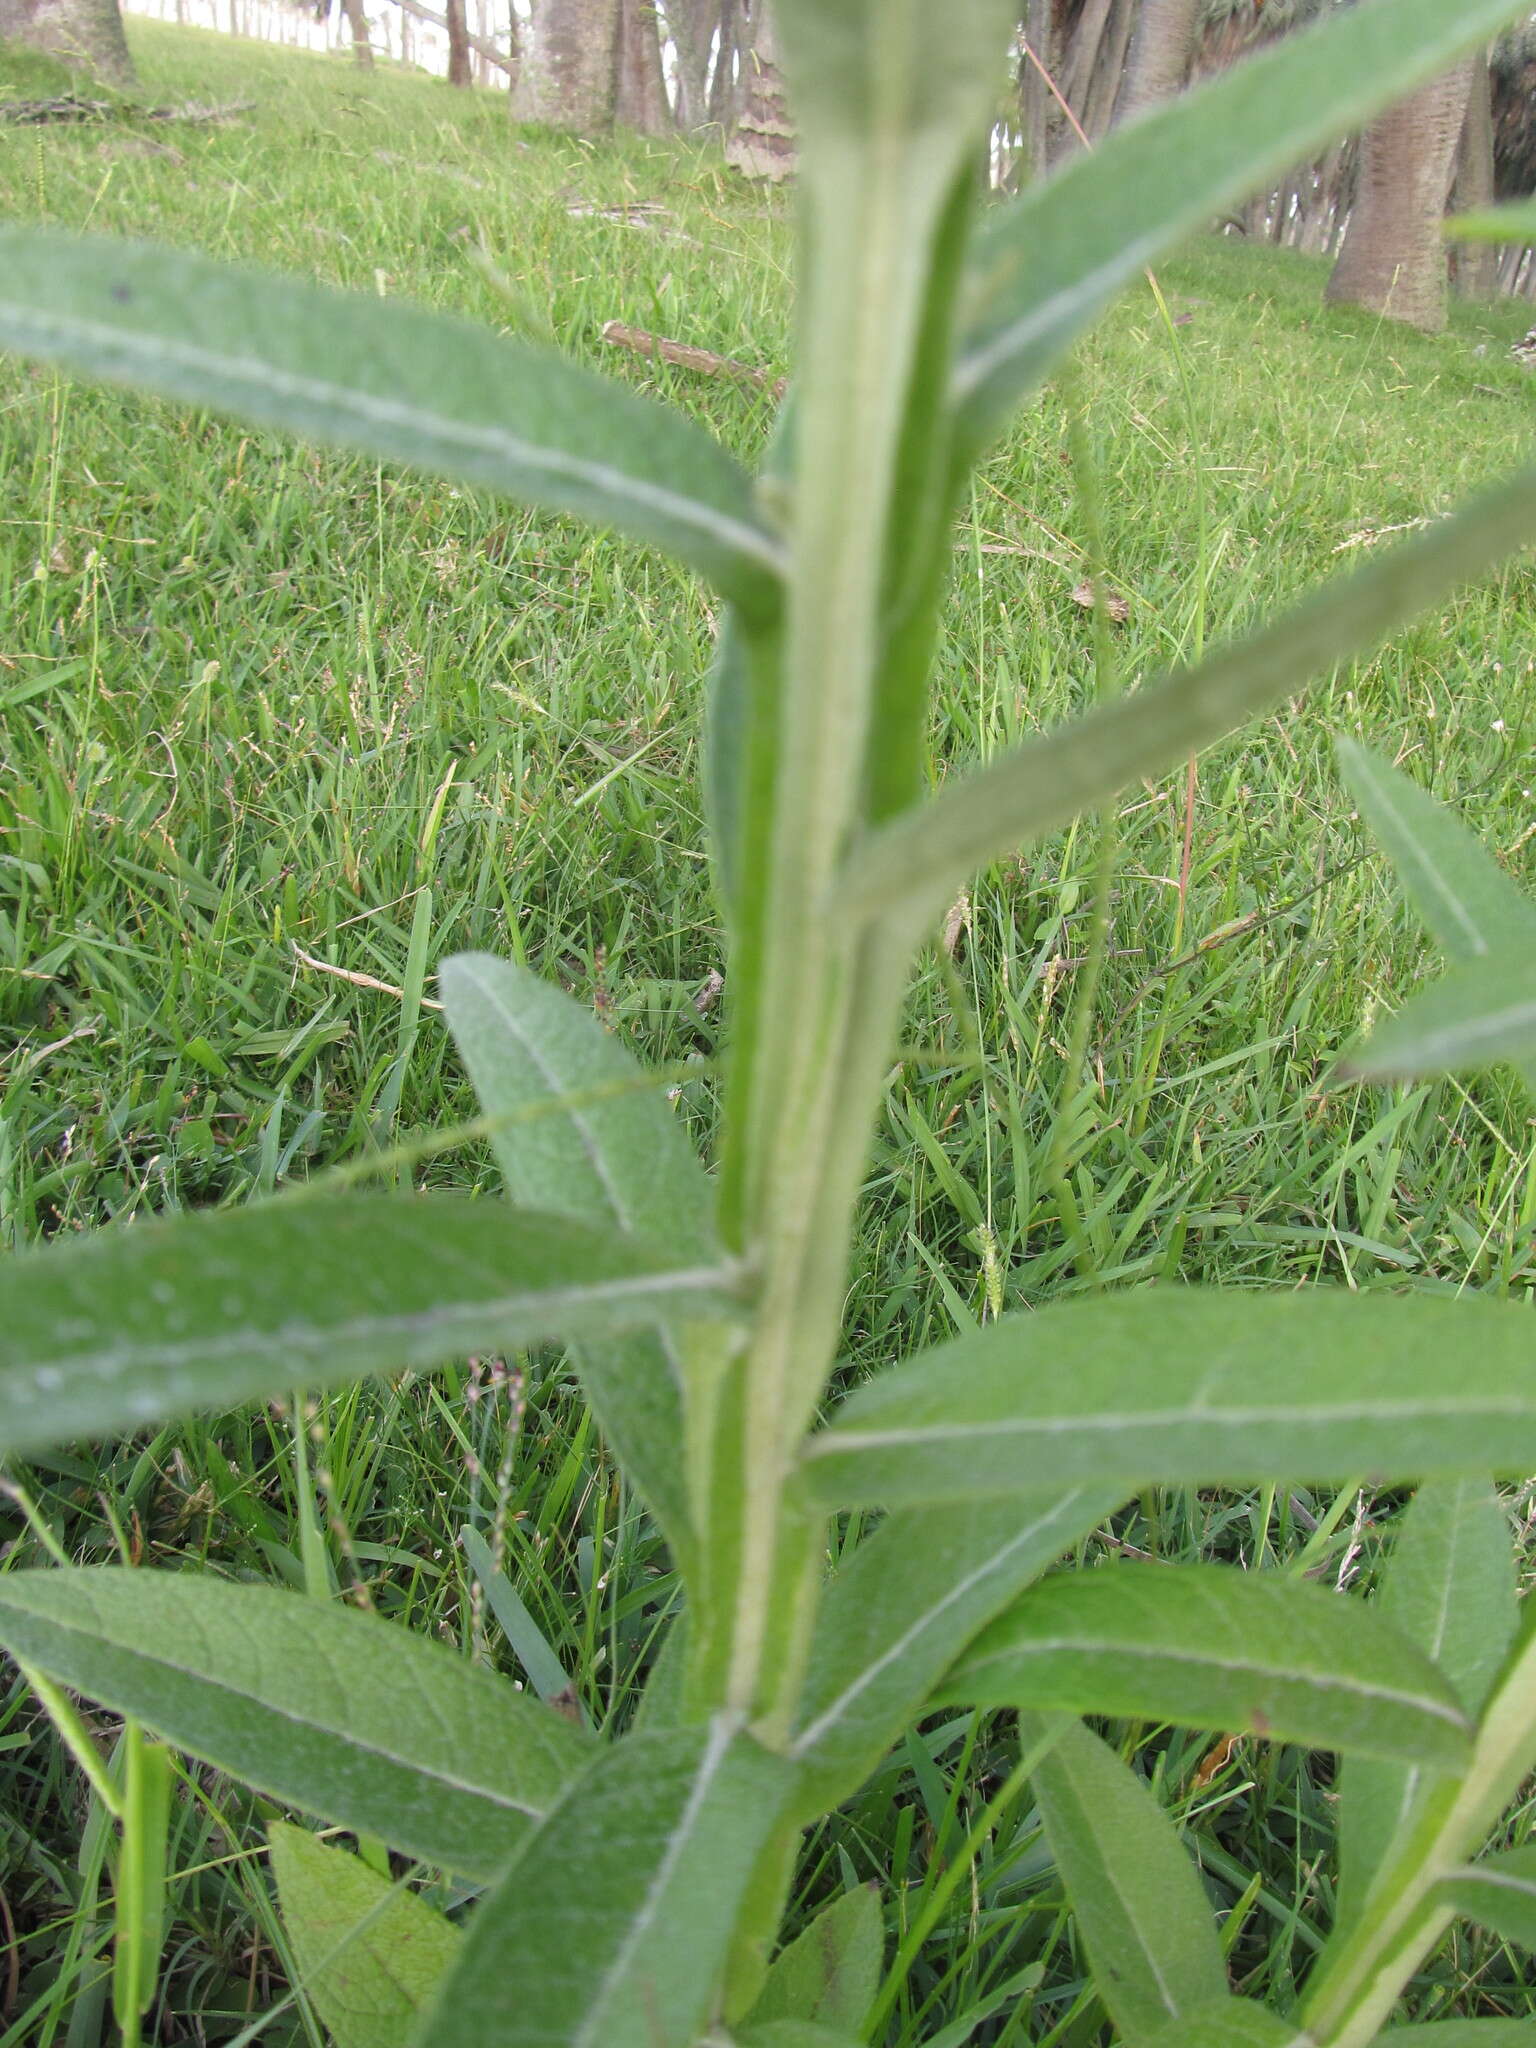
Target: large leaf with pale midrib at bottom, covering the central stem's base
[{"x": 613, "y": 1926}]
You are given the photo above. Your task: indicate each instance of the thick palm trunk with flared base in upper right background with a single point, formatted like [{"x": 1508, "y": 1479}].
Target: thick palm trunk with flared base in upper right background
[{"x": 1394, "y": 257}]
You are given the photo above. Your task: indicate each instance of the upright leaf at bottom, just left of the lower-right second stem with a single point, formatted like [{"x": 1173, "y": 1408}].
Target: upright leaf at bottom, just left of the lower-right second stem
[{"x": 1134, "y": 1889}]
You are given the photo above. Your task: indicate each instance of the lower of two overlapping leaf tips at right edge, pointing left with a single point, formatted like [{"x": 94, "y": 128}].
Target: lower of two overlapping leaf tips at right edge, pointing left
[{"x": 1471, "y": 1019}]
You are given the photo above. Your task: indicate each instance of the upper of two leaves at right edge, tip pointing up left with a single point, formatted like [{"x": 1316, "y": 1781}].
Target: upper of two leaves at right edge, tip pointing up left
[{"x": 1455, "y": 884}]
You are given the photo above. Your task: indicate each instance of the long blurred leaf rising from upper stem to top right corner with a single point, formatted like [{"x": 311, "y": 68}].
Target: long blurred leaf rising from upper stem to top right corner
[{"x": 1052, "y": 261}]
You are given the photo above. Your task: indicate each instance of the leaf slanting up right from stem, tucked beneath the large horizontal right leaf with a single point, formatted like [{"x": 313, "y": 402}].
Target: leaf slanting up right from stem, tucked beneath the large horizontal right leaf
[{"x": 904, "y": 1609}]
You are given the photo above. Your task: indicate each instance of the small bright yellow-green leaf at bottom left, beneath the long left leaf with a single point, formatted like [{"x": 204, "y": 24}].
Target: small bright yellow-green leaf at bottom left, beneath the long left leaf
[{"x": 370, "y": 1951}]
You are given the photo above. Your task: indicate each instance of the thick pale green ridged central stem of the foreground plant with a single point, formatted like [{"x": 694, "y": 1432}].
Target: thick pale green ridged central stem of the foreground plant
[{"x": 824, "y": 1007}]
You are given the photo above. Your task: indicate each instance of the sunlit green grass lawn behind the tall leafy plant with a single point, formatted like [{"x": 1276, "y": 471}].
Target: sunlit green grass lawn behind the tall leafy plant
[{"x": 282, "y": 730}]
